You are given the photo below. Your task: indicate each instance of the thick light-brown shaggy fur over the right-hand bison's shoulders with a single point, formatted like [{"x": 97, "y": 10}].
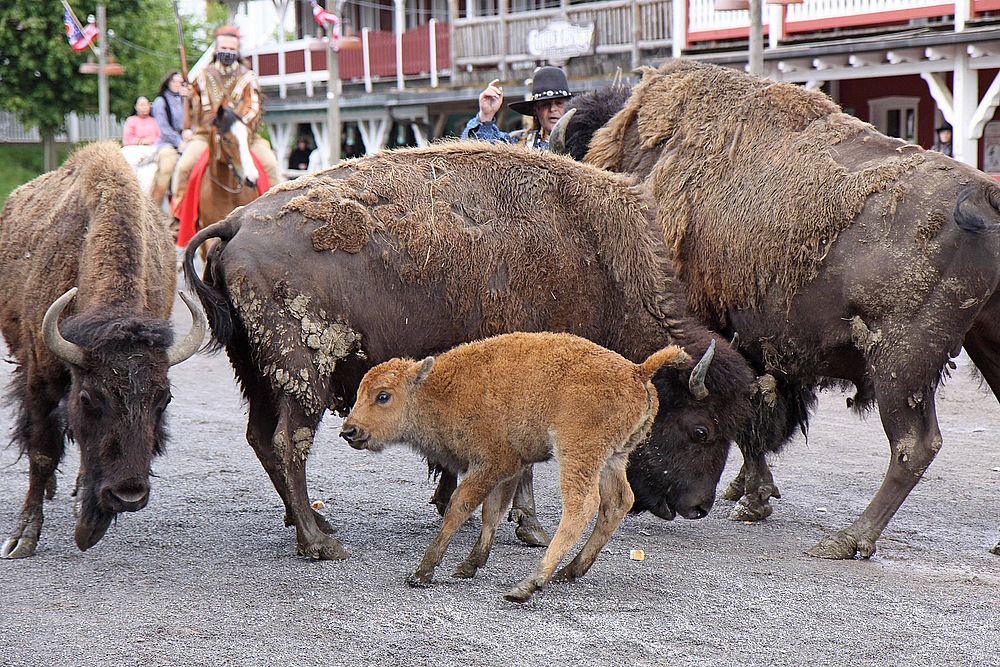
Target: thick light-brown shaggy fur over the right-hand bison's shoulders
[{"x": 766, "y": 148}]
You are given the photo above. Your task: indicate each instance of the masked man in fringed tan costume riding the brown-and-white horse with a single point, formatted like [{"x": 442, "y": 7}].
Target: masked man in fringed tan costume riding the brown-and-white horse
[{"x": 226, "y": 81}]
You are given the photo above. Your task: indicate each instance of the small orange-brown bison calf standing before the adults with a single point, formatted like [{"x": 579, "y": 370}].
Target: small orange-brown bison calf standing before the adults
[{"x": 546, "y": 393}]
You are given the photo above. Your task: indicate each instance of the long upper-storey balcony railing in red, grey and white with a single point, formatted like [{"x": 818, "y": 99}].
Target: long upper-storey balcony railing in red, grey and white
[{"x": 621, "y": 26}]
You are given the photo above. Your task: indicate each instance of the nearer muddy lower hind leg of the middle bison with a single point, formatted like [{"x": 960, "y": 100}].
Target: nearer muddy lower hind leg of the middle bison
[{"x": 293, "y": 437}]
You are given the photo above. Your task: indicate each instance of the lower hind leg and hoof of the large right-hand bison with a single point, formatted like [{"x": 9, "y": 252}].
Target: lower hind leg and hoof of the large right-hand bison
[{"x": 910, "y": 421}]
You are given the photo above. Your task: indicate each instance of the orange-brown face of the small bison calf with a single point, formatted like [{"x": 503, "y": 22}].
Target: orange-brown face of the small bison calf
[{"x": 379, "y": 413}]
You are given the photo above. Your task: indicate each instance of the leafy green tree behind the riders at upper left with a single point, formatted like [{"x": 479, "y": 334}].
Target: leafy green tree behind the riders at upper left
[{"x": 39, "y": 73}]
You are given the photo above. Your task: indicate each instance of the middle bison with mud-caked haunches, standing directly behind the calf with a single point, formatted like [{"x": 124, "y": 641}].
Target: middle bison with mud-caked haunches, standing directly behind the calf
[{"x": 409, "y": 253}]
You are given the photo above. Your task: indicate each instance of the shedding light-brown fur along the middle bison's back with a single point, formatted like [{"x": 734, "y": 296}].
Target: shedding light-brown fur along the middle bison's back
[{"x": 444, "y": 213}]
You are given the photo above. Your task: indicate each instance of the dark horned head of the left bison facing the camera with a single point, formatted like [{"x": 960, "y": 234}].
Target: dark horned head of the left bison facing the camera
[{"x": 119, "y": 390}]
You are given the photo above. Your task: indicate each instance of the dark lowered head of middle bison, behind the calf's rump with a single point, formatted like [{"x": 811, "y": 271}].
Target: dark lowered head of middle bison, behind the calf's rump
[{"x": 676, "y": 470}]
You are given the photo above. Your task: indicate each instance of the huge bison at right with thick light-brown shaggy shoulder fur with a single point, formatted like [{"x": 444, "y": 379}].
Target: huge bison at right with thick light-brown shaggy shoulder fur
[{"x": 838, "y": 255}]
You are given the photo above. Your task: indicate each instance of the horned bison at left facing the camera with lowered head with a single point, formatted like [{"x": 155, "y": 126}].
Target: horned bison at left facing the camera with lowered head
[{"x": 87, "y": 230}]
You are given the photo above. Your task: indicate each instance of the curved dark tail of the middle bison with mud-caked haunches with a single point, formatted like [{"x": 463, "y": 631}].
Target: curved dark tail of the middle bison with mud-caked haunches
[{"x": 212, "y": 295}]
